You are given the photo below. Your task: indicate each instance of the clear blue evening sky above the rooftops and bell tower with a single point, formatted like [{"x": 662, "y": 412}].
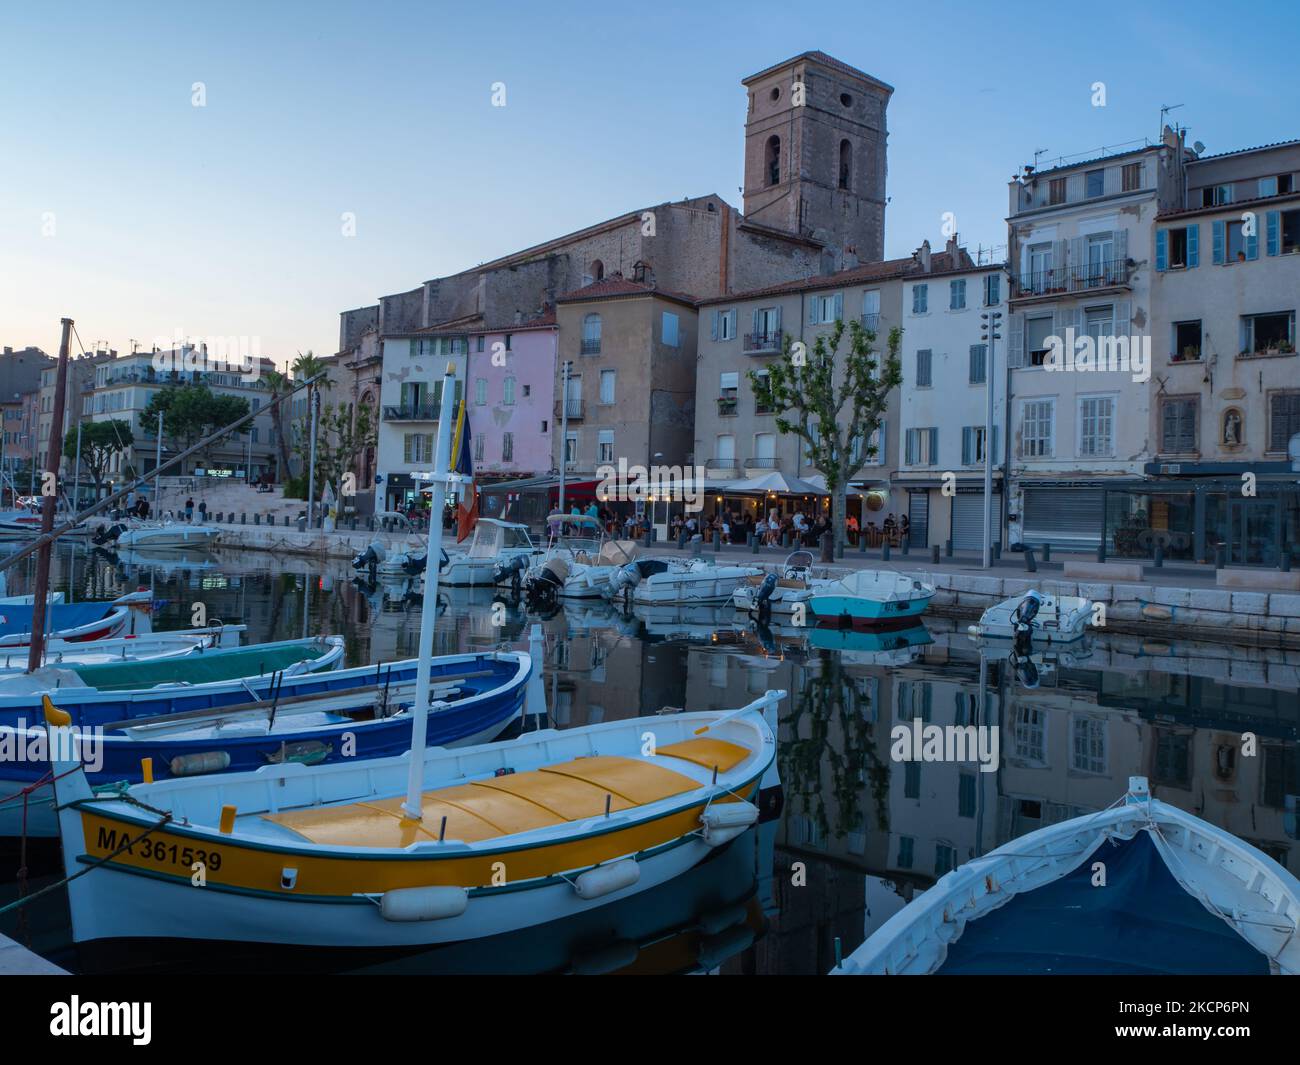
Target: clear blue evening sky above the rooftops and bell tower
[{"x": 226, "y": 220}]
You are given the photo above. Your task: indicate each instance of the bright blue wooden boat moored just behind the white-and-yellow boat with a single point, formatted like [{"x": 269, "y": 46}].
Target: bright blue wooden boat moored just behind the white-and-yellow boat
[{"x": 311, "y": 720}]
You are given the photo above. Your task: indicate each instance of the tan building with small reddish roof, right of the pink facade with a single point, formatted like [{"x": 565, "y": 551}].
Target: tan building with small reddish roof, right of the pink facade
[{"x": 630, "y": 391}]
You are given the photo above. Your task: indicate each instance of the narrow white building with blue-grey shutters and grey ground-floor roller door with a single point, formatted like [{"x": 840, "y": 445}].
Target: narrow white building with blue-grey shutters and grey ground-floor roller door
[{"x": 942, "y": 413}]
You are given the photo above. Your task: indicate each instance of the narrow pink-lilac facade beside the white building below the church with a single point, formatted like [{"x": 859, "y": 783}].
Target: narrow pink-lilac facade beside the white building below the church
[{"x": 512, "y": 399}]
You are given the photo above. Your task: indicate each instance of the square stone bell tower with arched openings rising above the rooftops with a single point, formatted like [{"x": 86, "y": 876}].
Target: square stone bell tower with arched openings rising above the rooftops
[{"x": 816, "y": 154}]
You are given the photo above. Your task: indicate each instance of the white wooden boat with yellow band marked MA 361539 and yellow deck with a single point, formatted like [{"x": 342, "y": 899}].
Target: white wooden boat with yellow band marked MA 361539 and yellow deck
[{"x": 509, "y": 835}]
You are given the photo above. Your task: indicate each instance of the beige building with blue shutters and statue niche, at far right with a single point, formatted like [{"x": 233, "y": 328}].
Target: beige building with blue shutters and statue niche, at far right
[{"x": 1227, "y": 291}]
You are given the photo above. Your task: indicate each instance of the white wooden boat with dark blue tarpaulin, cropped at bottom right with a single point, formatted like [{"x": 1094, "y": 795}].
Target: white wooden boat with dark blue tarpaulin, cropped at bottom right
[{"x": 1139, "y": 889}]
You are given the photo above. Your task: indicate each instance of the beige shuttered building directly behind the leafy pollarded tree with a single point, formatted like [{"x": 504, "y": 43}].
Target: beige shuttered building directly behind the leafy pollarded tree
[{"x": 735, "y": 436}]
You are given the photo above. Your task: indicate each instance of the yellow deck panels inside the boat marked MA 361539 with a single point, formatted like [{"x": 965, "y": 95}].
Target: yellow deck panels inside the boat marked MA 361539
[{"x": 513, "y": 803}]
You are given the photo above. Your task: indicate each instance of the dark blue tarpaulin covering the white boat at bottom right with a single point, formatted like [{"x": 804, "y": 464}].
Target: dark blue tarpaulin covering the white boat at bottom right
[{"x": 1142, "y": 923}]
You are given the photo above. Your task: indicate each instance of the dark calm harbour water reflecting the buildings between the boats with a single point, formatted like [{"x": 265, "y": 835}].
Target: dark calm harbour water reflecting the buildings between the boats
[{"x": 860, "y": 834}]
